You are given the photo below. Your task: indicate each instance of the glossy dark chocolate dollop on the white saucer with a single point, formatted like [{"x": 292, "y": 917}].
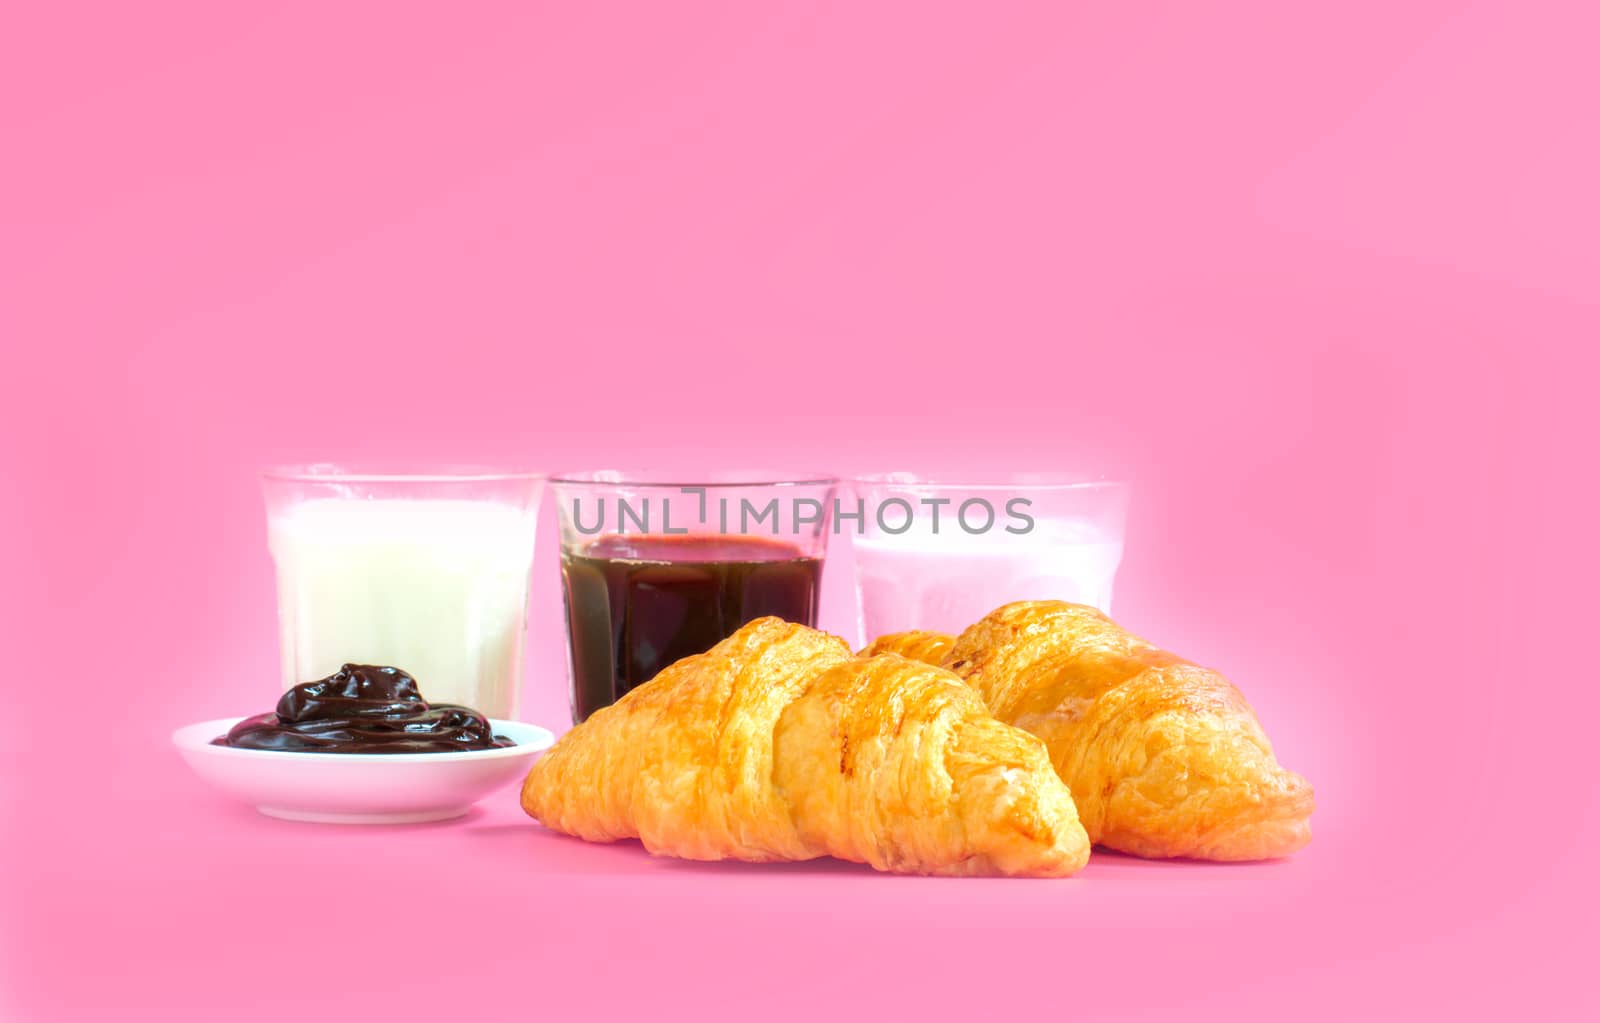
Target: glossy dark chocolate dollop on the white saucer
[{"x": 364, "y": 708}]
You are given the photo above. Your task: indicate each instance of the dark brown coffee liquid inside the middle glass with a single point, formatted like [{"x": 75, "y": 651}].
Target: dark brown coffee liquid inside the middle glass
[{"x": 636, "y": 604}]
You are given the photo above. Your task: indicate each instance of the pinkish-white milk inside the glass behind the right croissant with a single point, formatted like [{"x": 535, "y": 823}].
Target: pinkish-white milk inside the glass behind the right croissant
[{"x": 948, "y": 582}]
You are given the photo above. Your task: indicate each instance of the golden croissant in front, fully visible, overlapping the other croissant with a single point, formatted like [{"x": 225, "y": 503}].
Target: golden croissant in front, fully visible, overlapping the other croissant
[{"x": 778, "y": 745}]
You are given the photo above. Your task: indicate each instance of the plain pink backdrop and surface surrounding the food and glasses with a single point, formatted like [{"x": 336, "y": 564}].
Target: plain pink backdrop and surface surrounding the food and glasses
[{"x": 1321, "y": 278}]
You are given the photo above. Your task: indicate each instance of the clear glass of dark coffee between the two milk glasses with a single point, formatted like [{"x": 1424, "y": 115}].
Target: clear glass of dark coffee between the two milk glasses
[{"x": 658, "y": 568}]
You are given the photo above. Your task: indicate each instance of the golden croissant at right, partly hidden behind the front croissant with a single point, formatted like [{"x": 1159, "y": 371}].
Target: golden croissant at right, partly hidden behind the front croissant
[{"x": 1164, "y": 758}]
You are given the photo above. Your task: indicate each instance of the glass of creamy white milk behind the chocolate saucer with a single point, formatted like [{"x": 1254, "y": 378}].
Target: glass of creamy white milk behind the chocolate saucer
[{"x": 426, "y": 572}]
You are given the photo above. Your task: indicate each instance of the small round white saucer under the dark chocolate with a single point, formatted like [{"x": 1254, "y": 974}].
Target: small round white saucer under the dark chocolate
[{"x": 361, "y": 788}]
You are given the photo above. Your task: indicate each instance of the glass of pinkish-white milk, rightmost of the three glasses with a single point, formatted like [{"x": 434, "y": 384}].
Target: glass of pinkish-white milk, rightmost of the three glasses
[{"x": 942, "y": 553}]
